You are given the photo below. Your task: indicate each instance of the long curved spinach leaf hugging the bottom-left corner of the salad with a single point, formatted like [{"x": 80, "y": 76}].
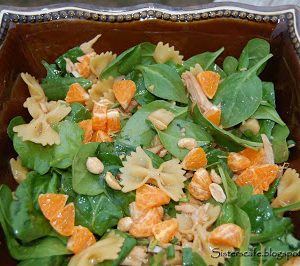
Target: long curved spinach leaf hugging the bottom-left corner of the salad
[{"x": 45, "y": 247}]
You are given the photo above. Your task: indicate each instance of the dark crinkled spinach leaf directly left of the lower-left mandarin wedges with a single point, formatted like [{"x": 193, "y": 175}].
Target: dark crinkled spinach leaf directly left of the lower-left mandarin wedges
[{"x": 28, "y": 222}]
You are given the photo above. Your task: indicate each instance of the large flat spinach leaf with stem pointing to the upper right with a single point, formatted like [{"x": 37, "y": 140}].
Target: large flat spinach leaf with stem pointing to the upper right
[{"x": 239, "y": 95}]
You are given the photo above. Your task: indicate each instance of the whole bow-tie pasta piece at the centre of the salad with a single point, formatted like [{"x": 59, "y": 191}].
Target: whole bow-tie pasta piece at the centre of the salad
[{"x": 138, "y": 170}]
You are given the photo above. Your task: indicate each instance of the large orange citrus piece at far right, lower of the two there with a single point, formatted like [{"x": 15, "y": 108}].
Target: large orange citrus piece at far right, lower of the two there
[{"x": 259, "y": 176}]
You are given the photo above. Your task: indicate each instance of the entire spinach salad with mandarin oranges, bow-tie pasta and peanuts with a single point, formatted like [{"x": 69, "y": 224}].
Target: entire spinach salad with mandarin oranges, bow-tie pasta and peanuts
[{"x": 148, "y": 159}]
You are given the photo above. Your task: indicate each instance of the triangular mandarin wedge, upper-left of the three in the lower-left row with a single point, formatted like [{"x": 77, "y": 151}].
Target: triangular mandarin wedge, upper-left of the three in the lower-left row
[{"x": 51, "y": 204}]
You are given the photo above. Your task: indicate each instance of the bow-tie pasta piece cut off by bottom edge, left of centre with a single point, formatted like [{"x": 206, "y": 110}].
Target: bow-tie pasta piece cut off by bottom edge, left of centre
[{"x": 105, "y": 249}]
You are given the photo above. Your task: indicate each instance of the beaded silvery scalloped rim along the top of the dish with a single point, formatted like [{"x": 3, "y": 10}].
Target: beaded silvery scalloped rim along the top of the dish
[{"x": 289, "y": 14}]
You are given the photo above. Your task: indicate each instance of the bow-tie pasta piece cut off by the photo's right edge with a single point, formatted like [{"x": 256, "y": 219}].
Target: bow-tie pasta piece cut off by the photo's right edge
[{"x": 288, "y": 189}]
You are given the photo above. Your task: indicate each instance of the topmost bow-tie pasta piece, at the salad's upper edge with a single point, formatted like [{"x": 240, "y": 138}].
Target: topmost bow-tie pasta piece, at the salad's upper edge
[{"x": 164, "y": 53}]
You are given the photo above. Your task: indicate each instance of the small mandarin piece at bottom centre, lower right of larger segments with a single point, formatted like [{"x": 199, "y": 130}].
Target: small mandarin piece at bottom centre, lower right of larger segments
[{"x": 165, "y": 231}]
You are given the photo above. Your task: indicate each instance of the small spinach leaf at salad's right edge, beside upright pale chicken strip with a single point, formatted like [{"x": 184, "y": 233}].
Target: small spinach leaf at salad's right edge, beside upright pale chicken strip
[{"x": 279, "y": 145}]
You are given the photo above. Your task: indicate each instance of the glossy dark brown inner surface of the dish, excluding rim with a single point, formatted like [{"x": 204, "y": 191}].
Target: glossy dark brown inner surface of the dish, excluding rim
[{"x": 27, "y": 45}]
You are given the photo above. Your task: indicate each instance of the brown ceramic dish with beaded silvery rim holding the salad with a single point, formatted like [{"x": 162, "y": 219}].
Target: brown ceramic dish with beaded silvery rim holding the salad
[{"x": 29, "y": 37}]
